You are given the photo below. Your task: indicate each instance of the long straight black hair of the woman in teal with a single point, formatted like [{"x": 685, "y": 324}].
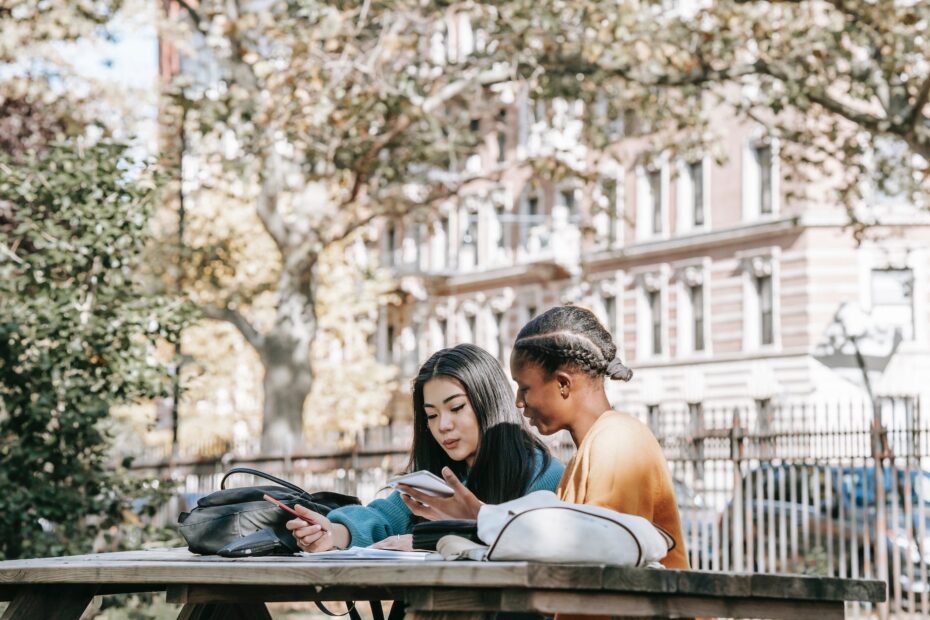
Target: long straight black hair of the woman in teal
[{"x": 504, "y": 465}]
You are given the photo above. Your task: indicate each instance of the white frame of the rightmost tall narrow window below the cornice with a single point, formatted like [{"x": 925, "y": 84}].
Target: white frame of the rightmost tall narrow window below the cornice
[{"x": 756, "y": 263}]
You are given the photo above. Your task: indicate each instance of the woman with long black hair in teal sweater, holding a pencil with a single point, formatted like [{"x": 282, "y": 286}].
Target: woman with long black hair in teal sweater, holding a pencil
[{"x": 466, "y": 429}]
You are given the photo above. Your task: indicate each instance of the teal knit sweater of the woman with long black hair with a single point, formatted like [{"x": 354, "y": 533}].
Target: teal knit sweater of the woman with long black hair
[{"x": 389, "y": 516}]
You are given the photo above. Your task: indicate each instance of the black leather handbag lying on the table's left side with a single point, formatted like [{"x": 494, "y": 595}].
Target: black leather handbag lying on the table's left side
[{"x": 239, "y": 523}]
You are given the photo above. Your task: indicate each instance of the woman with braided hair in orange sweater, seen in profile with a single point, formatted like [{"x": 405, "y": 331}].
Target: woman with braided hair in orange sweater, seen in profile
[{"x": 559, "y": 362}]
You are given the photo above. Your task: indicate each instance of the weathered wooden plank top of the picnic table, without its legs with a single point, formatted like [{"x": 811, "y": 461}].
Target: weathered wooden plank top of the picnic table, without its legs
[{"x": 169, "y": 567}]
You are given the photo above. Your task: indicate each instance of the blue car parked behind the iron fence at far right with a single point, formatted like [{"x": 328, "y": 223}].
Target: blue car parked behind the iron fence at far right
[{"x": 829, "y": 510}]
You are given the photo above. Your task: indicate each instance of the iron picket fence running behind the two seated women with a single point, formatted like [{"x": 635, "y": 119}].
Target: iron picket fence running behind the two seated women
[{"x": 763, "y": 487}]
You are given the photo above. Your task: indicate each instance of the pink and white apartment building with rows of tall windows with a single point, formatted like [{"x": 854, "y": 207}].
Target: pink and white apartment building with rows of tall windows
[{"x": 717, "y": 286}]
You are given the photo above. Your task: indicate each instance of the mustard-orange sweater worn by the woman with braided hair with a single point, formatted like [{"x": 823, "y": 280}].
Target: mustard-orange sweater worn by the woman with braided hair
[{"x": 620, "y": 466}]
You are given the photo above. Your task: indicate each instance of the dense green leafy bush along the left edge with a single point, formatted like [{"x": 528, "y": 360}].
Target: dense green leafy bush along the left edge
[{"x": 77, "y": 336}]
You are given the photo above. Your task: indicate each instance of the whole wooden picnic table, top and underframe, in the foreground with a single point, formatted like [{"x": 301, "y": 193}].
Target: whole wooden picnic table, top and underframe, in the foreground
[{"x": 214, "y": 587}]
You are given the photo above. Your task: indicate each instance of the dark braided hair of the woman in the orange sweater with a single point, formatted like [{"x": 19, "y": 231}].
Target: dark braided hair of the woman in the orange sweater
[{"x": 571, "y": 336}]
